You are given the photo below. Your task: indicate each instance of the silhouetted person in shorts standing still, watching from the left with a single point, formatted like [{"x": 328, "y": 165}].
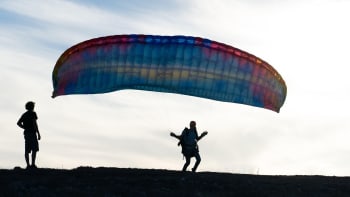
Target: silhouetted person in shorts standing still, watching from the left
[{"x": 30, "y": 126}]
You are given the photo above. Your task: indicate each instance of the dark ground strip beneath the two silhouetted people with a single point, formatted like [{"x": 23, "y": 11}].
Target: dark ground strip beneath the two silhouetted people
[{"x": 86, "y": 181}]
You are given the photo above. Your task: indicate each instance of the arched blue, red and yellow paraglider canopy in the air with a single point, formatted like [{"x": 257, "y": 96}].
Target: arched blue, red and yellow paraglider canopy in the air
[{"x": 174, "y": 64}]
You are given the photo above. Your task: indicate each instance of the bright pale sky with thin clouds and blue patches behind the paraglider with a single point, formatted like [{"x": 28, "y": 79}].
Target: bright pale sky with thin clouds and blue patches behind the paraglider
[{"x": 307, "y": 41}]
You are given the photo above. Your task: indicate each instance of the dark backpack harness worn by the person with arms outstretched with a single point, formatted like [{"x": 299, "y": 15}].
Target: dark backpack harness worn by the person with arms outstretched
[{"x": 188, "y": 142}]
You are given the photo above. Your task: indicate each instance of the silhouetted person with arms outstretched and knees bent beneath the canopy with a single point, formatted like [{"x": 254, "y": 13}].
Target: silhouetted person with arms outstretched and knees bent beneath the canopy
[{"x": 188, "y": 141}]
